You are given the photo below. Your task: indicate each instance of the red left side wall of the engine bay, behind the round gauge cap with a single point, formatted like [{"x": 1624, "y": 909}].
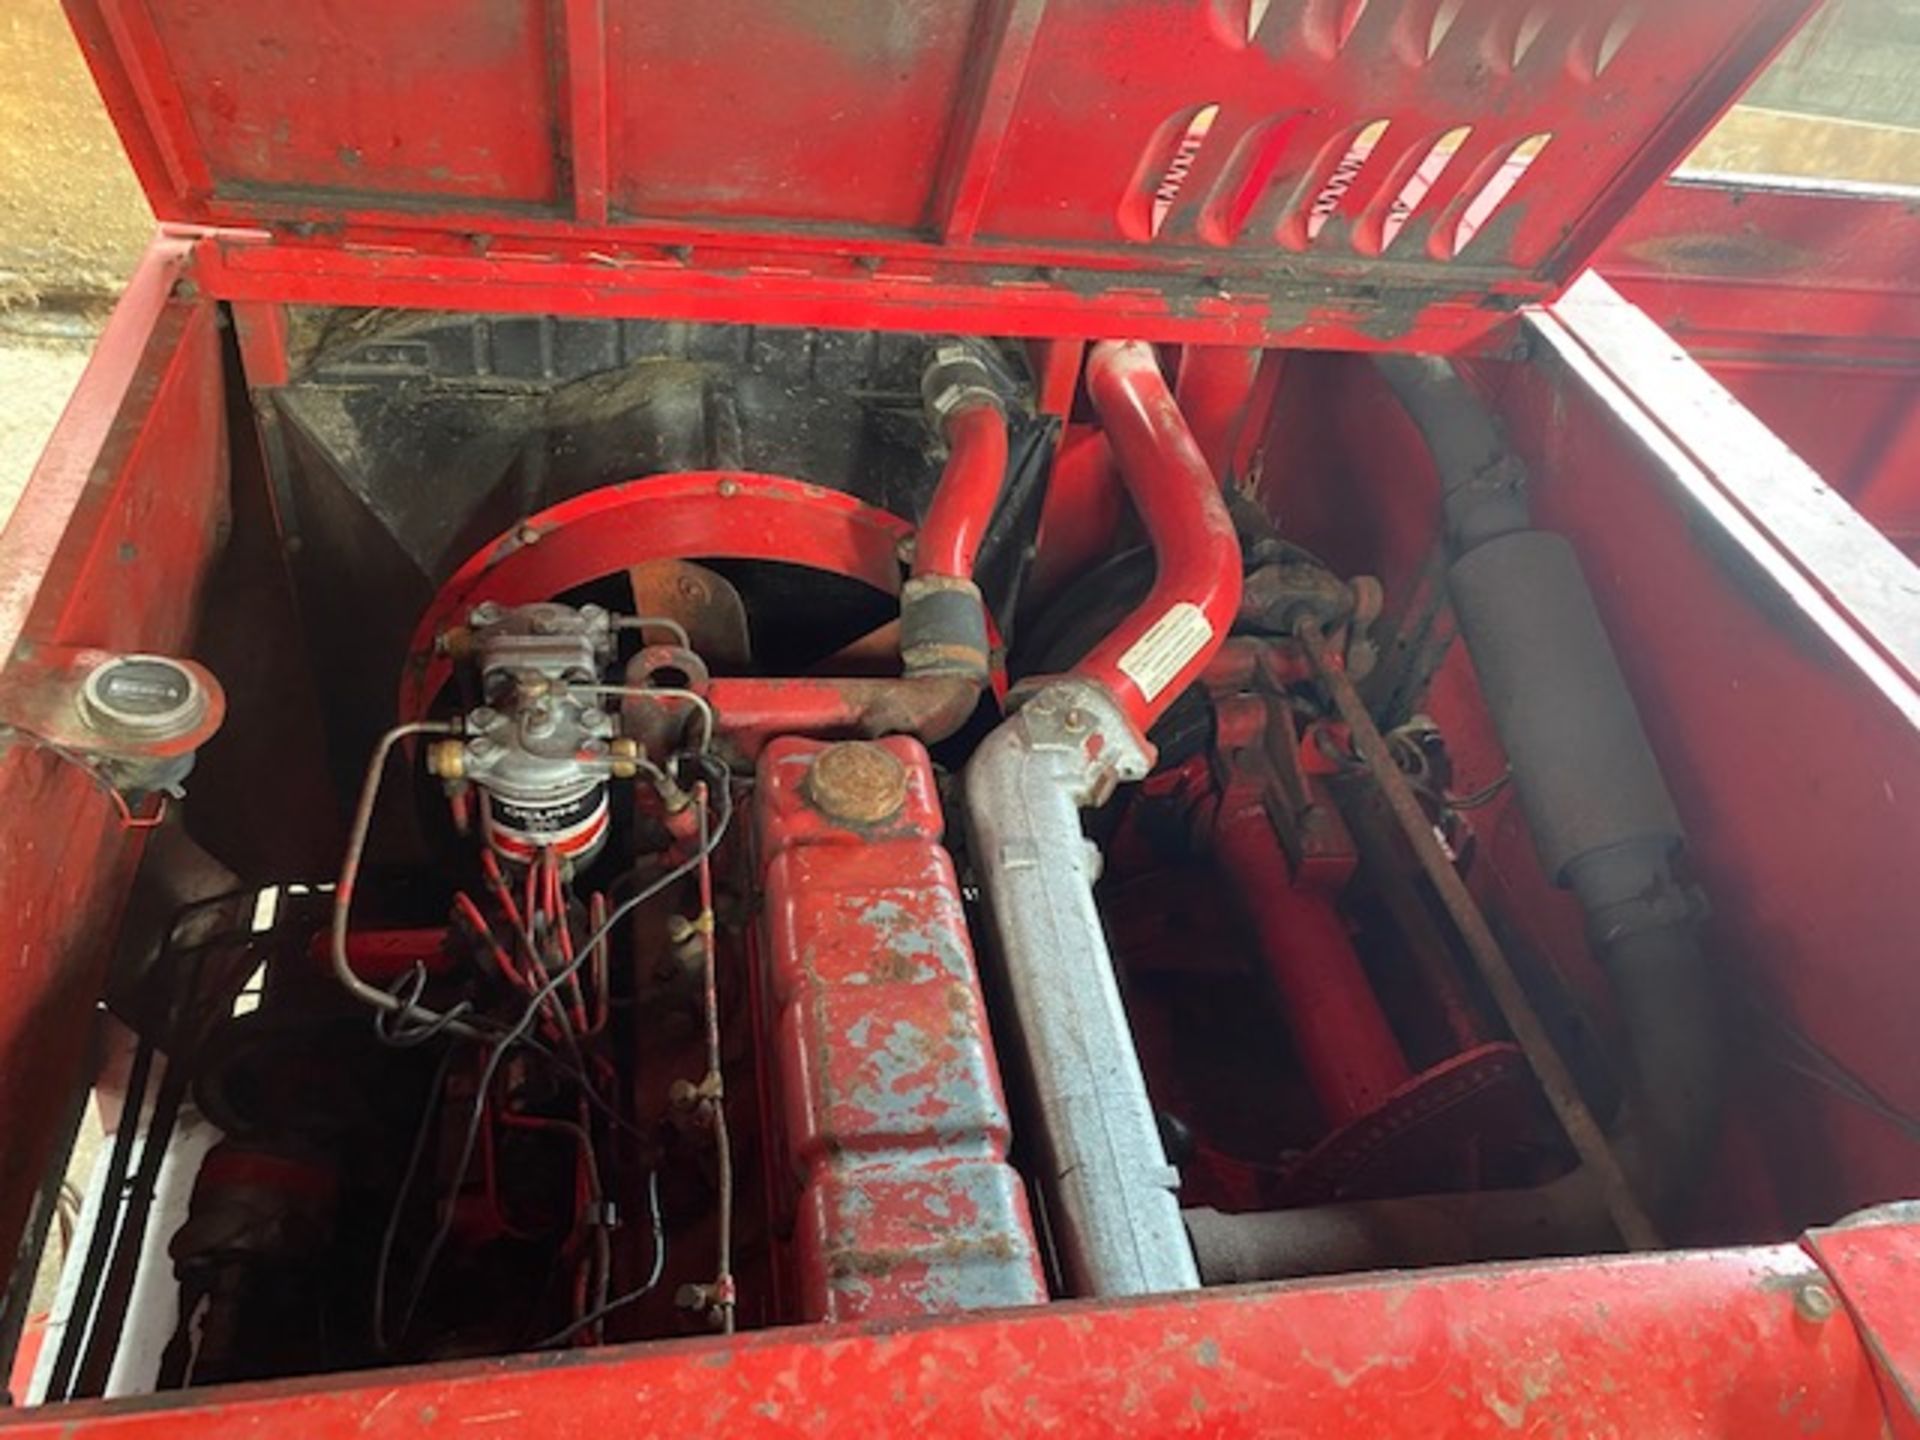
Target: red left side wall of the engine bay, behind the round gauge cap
[{"x": 108, "y": 546}]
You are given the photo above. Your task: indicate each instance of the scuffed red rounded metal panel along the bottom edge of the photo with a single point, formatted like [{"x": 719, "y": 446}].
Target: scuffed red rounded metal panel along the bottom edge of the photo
[{"x": 1694, "y": 1345}]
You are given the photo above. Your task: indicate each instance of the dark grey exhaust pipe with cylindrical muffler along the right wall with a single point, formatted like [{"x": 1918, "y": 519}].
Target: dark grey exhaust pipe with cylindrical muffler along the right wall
[{"x": 1583, "y": 767}]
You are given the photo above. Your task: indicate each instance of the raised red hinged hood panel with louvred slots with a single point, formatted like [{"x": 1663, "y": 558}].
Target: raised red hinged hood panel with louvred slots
[{"x": 1383, "y": 156}]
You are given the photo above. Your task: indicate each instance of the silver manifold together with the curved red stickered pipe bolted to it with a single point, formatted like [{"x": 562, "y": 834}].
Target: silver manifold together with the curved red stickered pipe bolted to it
[{"x": 1109, "y": 1186}]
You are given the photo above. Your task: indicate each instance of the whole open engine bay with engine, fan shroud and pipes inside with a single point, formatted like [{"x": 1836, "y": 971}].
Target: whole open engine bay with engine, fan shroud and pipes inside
[{"x": 752, "y": 828}]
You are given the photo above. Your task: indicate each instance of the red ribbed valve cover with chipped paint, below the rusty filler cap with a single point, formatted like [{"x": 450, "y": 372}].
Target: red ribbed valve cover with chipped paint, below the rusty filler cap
[{"x": 894, "y": 1122}]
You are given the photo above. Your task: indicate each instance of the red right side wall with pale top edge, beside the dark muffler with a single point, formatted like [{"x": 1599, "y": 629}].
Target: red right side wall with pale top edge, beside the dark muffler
[{"x": 1783, "y": 692}]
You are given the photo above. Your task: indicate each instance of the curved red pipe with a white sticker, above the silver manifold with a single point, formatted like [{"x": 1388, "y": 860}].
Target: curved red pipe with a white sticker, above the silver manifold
[{"x": 1153, "y": 656}]
